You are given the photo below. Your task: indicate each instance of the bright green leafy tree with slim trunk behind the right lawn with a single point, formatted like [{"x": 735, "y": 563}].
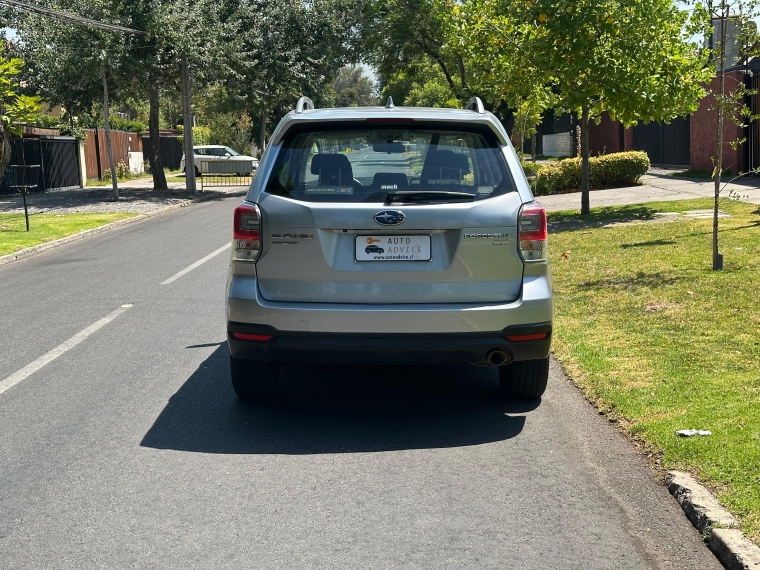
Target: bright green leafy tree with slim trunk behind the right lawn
[{"x": 630, "y": 58}]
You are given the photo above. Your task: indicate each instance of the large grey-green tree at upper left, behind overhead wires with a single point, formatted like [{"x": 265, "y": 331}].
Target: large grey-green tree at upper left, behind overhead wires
[{"x": 73, "y": 66}]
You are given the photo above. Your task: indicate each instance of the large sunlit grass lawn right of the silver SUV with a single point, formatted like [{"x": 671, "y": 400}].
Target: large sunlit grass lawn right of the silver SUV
[{"x": 660, "y": 342}]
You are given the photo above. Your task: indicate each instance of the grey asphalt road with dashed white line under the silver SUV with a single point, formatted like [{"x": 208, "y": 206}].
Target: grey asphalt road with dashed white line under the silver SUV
[{"x": 130, "y": 450}]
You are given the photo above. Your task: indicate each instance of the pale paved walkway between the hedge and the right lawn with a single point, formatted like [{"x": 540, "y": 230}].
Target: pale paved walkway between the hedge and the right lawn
[{"x": 656, "y": 186}]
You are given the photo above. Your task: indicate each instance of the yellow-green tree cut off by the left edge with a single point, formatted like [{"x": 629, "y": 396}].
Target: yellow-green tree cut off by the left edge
[{"x": 15, "y": 108}]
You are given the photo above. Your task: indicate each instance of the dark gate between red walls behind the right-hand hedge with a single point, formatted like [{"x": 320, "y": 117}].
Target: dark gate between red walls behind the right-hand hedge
[{"x": 665, "y": 143}]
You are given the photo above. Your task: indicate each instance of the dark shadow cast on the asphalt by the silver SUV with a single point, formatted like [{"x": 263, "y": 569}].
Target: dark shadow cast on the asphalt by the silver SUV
[{"x": 338, "y": 409}]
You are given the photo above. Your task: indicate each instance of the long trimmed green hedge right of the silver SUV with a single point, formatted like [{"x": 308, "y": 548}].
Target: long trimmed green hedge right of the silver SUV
[{"x": 617, "y": 169}]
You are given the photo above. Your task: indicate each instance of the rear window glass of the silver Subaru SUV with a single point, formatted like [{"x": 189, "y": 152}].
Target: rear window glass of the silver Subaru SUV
[{"x": 367, "y": 163}]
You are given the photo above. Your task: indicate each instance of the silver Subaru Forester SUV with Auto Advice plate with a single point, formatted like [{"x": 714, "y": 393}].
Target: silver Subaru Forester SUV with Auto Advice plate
[{"x": 389, "y": 235}]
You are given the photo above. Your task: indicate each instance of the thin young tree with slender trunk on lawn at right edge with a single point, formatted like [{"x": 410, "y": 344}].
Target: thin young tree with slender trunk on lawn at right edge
[{"x": 734, "y": 17}]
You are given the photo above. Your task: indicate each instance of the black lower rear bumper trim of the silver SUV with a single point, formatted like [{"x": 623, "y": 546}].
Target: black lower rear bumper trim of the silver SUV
[{"x": 289, "y": 347}]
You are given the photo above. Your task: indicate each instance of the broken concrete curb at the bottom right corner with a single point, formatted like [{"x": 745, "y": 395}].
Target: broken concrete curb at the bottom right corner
[{"x": 727, "y": 542}]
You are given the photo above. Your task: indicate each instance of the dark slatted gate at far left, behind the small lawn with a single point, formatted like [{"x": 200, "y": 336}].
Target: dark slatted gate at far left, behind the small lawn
[{"x": 57, "y": 157}]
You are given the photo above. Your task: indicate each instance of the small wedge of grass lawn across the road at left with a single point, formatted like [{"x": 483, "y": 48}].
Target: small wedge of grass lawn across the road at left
[{"x": 47, "y": 227}]
